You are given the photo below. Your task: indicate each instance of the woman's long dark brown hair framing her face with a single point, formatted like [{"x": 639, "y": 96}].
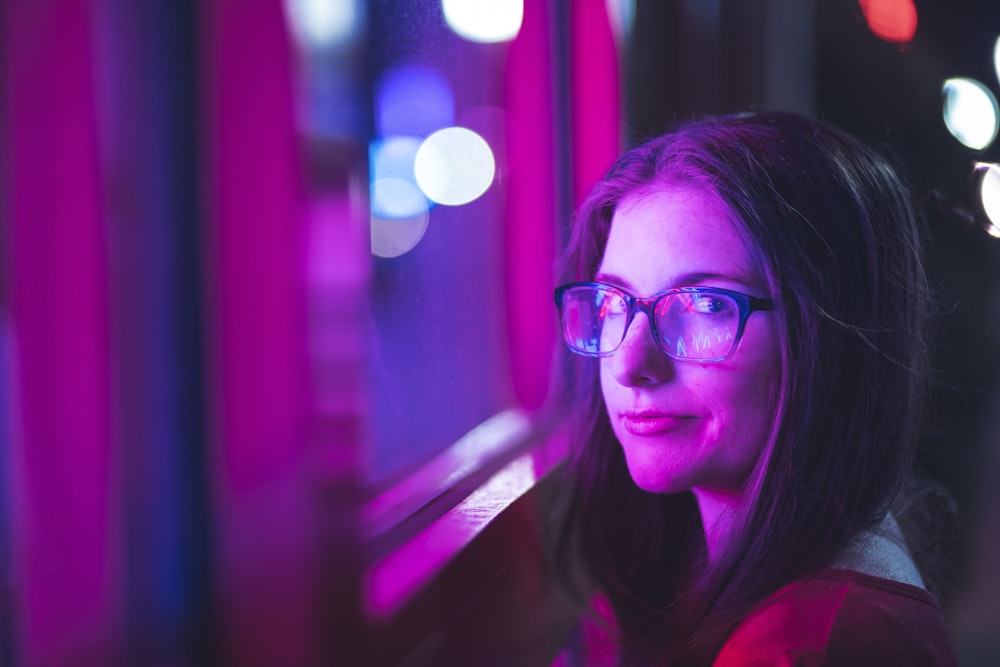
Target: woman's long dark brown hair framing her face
[{"x": 831, "y": 225}]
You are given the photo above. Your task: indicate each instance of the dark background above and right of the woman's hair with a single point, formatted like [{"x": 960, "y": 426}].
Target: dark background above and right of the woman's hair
[{"x": 820, "y": 57}]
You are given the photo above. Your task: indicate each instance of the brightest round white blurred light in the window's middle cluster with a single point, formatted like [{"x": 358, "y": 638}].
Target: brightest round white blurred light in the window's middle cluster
[{"x": 454, "y": 166}]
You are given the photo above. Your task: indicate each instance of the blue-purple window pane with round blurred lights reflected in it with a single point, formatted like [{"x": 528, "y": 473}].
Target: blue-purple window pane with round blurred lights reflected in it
[{"x": 440, "y": 362}]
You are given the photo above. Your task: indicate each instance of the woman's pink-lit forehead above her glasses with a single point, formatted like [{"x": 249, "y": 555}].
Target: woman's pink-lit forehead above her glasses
[{"x": 660, "y": 238}]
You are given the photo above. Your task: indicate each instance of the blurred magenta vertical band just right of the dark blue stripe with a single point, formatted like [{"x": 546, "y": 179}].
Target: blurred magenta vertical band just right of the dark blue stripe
[{"x": 283, "y": 480}]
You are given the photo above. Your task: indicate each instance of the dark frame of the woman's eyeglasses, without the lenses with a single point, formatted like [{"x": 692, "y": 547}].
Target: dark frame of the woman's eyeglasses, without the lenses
[{"x": 746, "y": 304}]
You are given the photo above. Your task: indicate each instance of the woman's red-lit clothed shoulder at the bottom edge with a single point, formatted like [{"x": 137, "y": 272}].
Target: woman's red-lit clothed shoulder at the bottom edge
[{"x": 842, "y": 617}]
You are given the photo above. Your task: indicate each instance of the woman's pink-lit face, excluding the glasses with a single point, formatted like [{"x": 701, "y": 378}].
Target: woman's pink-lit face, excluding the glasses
[{"x": 685, "y": 425}]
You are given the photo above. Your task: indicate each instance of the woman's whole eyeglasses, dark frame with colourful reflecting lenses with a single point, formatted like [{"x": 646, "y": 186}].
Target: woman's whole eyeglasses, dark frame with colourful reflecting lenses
[{"x": 688, "y": 323}]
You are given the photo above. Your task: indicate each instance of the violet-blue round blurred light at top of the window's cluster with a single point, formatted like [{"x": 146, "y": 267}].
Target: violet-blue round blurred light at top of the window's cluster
[{"x": 413, "y": 100}]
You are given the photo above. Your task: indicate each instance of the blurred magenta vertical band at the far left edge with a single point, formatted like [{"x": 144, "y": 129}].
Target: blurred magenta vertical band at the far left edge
[{"x": 65, "y": 598}]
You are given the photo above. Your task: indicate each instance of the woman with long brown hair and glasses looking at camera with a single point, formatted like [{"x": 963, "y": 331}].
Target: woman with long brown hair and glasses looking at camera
[{"x": 746, "y": 299}]
